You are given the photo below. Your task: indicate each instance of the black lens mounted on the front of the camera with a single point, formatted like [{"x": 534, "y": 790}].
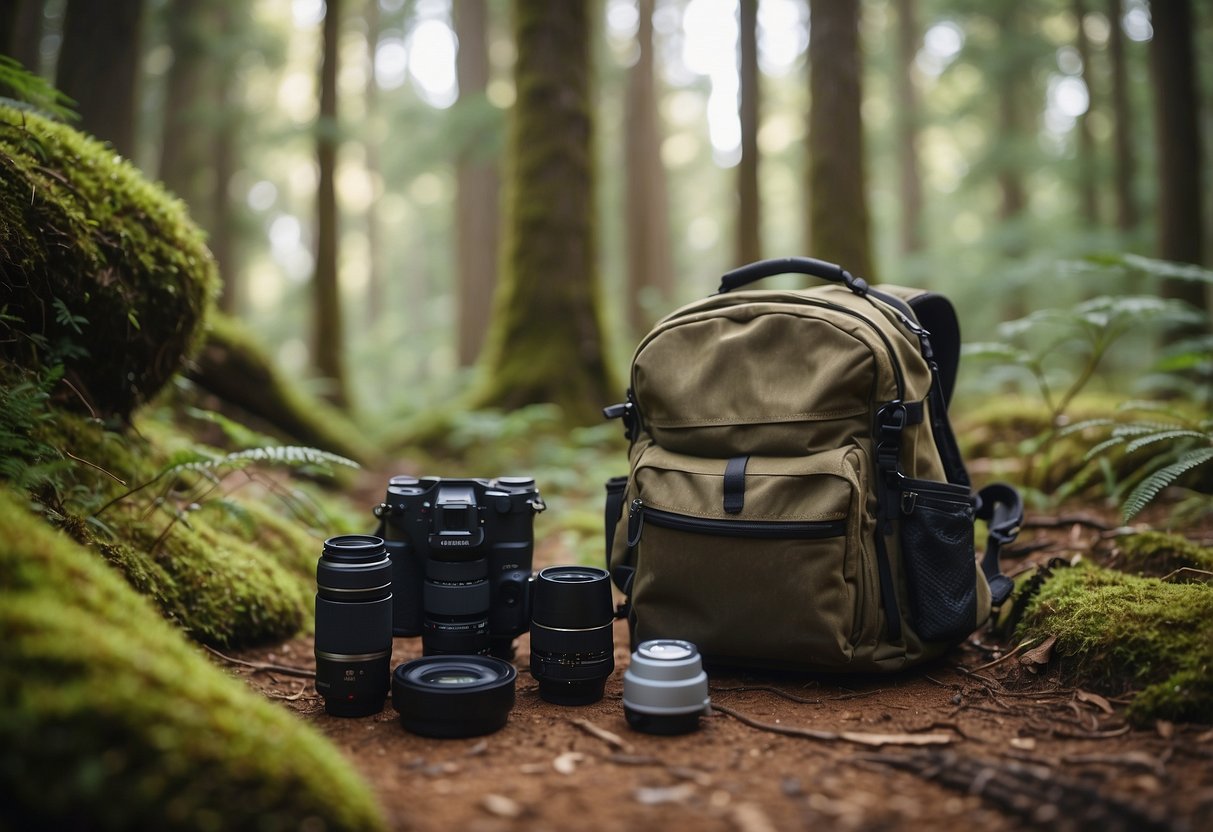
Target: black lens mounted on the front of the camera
[{"x": 457, "y": 607}]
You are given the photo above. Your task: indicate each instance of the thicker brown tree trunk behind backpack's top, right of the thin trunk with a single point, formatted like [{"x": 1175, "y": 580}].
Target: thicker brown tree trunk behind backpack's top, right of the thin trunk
[{"x": 838, "y": 183}]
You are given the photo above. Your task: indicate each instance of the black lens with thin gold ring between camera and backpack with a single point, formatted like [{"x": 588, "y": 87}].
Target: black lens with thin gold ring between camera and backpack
[{"x": 572, "y": 641}]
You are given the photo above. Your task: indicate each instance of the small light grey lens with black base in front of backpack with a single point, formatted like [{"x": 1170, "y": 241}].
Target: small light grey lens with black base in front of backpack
[{"x": 665, "y": 688}]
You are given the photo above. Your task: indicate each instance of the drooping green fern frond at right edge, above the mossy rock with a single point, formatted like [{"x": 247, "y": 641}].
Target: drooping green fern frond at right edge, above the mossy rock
[{"x": 1149, "y": 453}]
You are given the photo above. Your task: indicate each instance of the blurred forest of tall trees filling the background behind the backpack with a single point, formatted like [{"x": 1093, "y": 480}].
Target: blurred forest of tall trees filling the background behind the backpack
[{"x": 965, "y": 146}]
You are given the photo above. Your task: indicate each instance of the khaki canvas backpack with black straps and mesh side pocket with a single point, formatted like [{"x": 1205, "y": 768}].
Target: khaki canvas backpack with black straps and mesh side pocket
[{"x": 796, "y": 497}]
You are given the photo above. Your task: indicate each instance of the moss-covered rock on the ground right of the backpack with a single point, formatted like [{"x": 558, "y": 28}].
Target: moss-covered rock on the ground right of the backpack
[{"x": 1119, "y": 631}]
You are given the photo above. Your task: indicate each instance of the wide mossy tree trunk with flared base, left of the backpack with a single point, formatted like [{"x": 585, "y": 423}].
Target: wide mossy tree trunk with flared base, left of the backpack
[{"x": 546, "y": 341}]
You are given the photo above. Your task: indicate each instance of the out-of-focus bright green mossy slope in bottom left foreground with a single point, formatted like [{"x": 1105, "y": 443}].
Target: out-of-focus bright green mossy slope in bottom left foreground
[{"x": 111, "y": 721}]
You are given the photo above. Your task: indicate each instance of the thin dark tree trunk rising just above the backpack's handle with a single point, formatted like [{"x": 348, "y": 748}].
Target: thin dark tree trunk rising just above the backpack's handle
[{"x": 749, "y": 243}]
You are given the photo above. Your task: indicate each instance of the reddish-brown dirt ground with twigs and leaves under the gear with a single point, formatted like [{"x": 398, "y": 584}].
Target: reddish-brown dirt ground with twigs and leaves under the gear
[{"x": 977, "y": 740}]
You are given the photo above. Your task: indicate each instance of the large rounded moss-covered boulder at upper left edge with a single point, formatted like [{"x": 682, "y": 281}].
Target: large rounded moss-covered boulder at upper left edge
[{"x": 104, "y": 272}]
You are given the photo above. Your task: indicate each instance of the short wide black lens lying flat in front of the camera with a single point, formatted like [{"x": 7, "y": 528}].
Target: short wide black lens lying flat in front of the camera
[{"x": 454, "y": 697}]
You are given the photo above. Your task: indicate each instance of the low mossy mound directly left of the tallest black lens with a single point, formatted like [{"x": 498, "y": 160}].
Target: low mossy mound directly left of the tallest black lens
[{"x": 229, "y": 572}]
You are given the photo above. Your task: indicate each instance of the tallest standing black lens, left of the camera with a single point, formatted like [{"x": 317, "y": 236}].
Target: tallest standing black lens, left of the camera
[{"x": 354, "y": 625}]
